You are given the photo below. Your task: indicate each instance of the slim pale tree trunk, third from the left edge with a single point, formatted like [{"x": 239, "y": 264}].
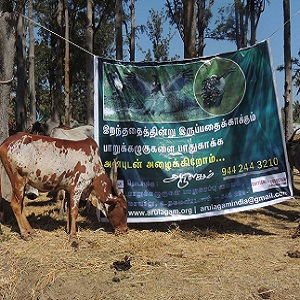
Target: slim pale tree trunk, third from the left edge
[{"x": 32, "y": 92}]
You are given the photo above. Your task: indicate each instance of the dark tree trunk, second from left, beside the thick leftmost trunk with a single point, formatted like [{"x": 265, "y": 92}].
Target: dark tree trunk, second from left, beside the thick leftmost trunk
[{"x": 20, "y": 108}]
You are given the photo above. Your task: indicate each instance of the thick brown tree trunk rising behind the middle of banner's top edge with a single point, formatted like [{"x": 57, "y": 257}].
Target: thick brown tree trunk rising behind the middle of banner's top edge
[{"x": 190, "y": 29}]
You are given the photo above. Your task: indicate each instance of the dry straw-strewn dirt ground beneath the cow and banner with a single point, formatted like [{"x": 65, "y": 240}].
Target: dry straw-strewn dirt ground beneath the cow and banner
[{"x": 249, "y": 255}]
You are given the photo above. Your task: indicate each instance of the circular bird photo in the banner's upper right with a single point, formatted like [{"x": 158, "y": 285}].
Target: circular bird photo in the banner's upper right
[{"x": 219, "y": 86}]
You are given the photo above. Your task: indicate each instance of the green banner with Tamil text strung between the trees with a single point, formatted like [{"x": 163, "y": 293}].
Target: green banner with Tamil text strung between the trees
[{"x": 193, "y": 138}]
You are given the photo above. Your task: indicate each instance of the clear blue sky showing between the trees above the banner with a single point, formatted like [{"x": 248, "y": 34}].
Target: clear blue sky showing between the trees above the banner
[{"x": 270, "y": 26}]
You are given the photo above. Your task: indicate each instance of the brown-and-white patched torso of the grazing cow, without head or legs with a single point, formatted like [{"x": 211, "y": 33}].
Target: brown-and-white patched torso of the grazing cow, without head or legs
[{"x": 50, "y": 163}]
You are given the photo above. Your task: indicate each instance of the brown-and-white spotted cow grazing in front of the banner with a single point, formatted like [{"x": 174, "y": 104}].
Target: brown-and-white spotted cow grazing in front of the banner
[{"x": 51, "y": 164}]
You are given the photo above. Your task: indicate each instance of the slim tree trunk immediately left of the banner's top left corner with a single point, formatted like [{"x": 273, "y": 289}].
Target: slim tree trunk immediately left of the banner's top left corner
[{"x": 89, "y": 40}]
